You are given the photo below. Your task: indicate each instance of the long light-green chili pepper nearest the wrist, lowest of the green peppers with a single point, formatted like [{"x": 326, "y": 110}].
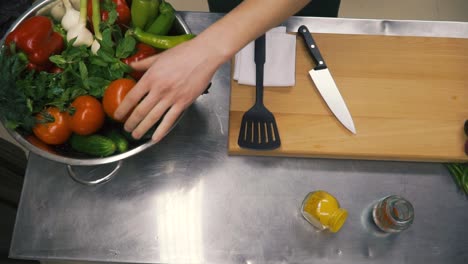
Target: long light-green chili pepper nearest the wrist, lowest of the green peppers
[{"x": 157, "y": 41}]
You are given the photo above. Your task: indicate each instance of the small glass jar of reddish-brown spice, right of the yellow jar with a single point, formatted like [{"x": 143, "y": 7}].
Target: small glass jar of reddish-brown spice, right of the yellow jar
[{"x": 393, "y": 214}]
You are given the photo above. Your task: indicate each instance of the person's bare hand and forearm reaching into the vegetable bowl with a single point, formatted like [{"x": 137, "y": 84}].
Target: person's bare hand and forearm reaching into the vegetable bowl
[{"x": 176, "y": 77}]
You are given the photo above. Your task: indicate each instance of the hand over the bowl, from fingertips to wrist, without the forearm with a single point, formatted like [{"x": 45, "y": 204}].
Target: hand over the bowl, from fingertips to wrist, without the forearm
[{"x": 173, "y": 80}]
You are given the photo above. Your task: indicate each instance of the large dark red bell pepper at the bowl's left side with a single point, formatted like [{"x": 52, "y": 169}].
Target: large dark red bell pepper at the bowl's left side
[{"x": 36, "y": 38}]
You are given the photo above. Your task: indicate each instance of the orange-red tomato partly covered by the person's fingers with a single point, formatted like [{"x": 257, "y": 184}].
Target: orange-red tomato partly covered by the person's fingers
[{"x": 114, "y": 95}]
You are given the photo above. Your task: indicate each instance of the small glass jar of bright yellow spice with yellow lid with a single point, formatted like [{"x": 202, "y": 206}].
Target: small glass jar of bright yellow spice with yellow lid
[{"x": 323, "y": 211}]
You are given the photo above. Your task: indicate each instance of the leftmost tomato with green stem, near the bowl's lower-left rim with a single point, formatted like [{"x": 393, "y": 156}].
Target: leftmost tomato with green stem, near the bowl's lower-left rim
[{"x": 56, "y": 132}]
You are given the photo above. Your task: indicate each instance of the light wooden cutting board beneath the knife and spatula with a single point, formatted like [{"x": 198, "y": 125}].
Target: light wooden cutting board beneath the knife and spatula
[{"x": 408, "y": 97}]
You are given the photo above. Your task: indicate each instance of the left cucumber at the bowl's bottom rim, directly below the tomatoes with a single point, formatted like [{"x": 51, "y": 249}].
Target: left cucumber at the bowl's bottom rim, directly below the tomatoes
[{"x": 95, "y": 145}]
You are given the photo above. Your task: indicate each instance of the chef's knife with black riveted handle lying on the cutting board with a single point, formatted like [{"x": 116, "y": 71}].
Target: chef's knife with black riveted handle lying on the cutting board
[{"x": 325, "y": 83}]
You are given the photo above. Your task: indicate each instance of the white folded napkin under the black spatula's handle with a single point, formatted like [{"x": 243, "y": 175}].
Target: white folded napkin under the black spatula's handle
[{"x": 280, "y": 62}]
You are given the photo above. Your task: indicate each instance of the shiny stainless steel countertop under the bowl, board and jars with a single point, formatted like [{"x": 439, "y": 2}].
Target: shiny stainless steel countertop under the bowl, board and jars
[{"x": 186, "y": 201}]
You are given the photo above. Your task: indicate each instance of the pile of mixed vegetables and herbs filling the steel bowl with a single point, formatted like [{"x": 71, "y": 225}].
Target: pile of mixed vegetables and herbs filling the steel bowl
[{"x": 64, "y": 71}]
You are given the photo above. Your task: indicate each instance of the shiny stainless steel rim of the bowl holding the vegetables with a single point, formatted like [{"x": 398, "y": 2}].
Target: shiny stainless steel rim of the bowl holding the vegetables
[{"x": 69, "y": 157}]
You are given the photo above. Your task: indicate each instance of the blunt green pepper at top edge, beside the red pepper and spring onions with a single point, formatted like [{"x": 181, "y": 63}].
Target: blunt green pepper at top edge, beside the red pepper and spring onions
[{"x": 144, "y": 12}]
